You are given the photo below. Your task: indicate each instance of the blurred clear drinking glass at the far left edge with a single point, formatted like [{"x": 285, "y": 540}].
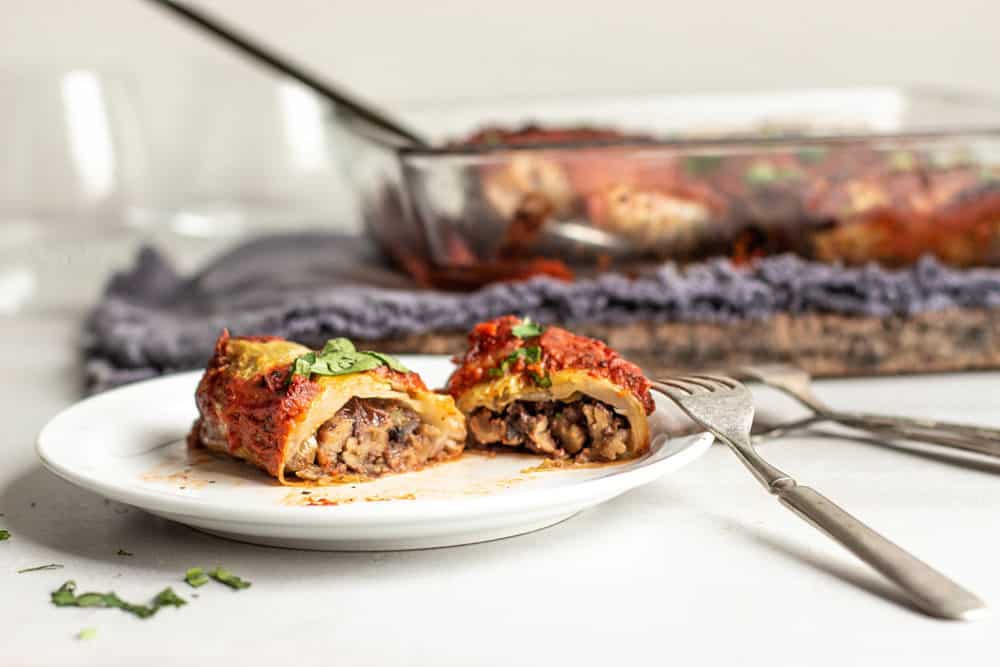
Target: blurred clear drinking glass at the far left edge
[{"x": 73, "y": 173}]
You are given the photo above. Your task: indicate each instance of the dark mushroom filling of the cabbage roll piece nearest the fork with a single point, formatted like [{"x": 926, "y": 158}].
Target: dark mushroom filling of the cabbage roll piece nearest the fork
[{"x": 584, "y": 430}]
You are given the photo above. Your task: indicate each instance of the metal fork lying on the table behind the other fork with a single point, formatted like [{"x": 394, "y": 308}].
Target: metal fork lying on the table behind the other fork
[{"x": 797, "y": 384}]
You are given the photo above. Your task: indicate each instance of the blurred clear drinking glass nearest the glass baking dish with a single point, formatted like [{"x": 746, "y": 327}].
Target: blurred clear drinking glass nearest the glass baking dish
[{"x": 258, "y": 160}]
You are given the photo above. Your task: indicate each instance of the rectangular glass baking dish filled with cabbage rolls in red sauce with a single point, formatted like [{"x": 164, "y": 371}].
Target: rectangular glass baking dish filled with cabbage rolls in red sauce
[{"x": 843, "y": 176}]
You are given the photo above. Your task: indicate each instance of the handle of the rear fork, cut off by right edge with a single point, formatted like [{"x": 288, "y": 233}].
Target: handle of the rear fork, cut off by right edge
[{"x": 970, "y": 438}]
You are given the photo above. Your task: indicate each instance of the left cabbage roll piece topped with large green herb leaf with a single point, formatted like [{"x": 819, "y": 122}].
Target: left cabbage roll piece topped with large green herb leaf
[{"x": 321, "y": 417}]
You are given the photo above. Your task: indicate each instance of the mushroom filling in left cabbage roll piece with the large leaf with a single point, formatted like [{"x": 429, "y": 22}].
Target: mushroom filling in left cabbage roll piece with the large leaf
[{"x": 370, "y": 436}]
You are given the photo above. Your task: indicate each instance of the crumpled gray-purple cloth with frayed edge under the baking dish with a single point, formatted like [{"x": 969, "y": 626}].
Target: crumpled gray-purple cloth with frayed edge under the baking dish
[{"x": 312, "y": 287}]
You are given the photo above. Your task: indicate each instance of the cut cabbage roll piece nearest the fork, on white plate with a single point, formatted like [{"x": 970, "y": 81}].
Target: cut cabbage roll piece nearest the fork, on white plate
[{"x": 549, "y": 391}]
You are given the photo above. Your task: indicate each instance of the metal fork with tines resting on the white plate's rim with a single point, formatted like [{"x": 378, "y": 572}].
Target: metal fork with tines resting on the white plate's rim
[{"x": 724, "y": 407}]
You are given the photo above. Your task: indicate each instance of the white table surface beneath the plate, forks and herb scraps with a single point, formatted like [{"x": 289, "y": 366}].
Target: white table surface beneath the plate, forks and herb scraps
[{"x": 701, "y": 567}]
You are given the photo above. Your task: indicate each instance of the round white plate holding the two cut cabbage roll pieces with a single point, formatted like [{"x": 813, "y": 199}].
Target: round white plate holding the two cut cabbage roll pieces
[{"x": 128, "y": 445}]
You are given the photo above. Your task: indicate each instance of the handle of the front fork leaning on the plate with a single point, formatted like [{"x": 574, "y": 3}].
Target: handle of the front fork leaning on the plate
[{"x": 930, "y": 590}]
